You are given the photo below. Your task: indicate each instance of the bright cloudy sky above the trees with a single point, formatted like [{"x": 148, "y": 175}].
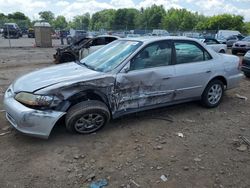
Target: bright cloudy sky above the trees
[{"x": 70, "y": 8}]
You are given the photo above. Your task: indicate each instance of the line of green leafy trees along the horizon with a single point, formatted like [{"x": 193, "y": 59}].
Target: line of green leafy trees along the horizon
[{"x": 154, "y": 17}]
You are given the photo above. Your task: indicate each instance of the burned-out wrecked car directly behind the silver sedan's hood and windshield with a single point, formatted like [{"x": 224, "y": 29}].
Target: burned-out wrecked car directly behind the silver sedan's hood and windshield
[{"x": 82, "y": 48}]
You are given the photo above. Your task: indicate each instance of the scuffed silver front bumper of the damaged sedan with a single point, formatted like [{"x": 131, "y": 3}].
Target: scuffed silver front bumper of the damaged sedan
[{"x": 29, "y": 121}]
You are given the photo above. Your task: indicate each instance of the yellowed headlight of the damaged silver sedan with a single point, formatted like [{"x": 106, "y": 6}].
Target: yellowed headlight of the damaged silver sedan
[{"x": 34, "y": 100}]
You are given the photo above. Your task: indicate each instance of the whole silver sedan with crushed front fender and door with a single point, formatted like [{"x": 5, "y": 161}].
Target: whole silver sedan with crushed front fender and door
[{"x": 125, "y": 76}]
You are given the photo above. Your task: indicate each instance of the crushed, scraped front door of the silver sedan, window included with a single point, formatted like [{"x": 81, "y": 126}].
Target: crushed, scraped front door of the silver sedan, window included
[{"x": 147, "y": 81}]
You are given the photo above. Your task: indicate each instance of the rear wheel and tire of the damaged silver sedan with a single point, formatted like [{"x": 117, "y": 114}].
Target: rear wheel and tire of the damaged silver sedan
[{"x": 207, "y": 97}]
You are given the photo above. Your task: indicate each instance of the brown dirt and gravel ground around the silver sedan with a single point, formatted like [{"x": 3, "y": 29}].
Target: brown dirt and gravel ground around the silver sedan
[{"x": 131, "y": 151}]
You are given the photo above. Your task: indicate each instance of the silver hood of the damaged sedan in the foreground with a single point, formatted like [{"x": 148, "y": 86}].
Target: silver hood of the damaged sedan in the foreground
[{"x": 52, "y": 75}]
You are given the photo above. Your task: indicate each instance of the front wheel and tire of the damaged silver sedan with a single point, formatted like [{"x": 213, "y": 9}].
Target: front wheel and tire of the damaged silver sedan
[{"x": 78, "y": 117}]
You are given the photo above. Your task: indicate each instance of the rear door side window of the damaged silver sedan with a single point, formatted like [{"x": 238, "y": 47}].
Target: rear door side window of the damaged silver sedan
[{"x": 188, "y": 52}]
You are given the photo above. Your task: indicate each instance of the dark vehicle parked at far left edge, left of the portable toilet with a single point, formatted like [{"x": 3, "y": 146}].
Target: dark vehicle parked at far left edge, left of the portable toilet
[{"x": 11, "y": 30}]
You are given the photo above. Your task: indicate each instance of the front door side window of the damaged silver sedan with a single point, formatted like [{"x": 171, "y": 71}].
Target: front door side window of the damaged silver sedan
[{"x": 154, "y": 55}]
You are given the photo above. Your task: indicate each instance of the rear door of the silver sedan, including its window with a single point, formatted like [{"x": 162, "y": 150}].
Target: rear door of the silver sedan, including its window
[{"x": 193, "y": 69}]
